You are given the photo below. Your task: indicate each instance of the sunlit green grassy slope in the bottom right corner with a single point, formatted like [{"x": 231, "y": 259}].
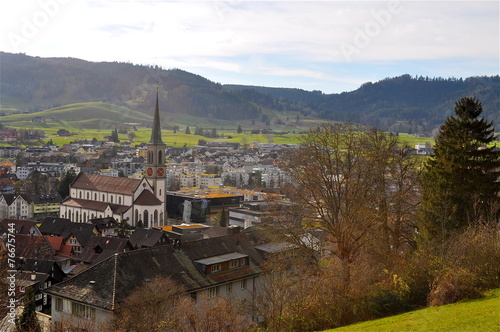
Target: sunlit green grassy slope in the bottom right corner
[{"x": 477, "y": 315}]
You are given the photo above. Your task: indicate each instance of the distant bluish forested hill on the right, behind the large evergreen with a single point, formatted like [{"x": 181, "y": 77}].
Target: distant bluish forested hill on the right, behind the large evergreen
[{"x": 404, "y": 103}]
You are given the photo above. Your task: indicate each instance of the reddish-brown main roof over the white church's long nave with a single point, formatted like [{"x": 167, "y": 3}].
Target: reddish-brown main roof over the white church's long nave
[{"x": 105, "y": 183}]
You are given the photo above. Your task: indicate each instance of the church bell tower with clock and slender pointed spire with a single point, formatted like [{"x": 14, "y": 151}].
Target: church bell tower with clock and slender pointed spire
[{"x": 155, "y": 166}]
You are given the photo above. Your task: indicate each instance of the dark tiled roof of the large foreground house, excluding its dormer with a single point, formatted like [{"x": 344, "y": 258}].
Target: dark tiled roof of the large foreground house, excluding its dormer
[{"x": 109, "y": 282}]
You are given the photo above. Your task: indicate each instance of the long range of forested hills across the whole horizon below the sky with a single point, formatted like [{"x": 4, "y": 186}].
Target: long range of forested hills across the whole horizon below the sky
[{"x": 404, "y": 103}]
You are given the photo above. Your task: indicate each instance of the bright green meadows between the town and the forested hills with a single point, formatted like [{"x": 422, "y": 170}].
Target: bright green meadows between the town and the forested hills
[{"x": 96, "y": 120}]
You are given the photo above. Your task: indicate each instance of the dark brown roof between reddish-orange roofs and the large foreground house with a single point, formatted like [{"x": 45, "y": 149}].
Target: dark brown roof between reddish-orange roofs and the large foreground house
[{"x": 99, "y": 248}]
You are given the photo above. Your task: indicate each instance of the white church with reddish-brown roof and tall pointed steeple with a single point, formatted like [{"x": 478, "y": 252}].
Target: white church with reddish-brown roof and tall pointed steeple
[{"x": 98, "y": 196}]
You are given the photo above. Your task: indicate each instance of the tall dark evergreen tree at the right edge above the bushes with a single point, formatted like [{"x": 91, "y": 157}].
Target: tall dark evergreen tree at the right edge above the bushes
[{"x": 460, "y": 183}]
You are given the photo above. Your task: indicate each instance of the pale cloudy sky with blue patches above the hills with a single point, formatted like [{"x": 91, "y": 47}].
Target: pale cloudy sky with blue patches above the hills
[{"x": 332, "y": 46}]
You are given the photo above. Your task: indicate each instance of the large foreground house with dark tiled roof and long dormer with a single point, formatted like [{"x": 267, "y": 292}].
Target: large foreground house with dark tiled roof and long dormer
[{"x": 225, "y": 266}]
